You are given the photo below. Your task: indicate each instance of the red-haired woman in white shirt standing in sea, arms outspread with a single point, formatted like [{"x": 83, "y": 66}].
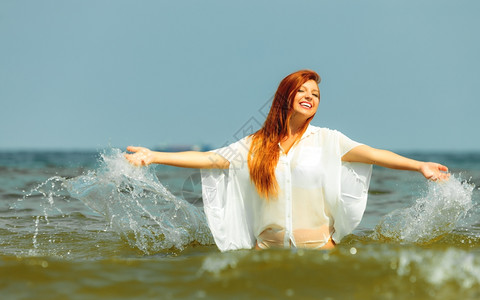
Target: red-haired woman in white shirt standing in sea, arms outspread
[{"x": 290, "y": 184}]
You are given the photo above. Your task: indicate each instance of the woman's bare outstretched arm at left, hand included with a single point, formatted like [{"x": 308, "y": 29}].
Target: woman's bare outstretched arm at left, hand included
[{"x": 190, "y": 159}]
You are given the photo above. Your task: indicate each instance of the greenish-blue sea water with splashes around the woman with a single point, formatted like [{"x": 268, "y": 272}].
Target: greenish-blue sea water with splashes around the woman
[{"x": 90, "y": 225}]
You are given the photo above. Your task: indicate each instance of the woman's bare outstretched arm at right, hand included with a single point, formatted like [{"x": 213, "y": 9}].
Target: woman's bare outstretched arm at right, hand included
[{"x": 388, "y": 159}]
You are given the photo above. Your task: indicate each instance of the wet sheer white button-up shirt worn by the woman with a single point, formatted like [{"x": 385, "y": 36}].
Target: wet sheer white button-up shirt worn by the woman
[{"x": 320, "y": 197}]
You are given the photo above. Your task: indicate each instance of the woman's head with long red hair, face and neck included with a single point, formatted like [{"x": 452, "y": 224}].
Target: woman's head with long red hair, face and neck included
[{"x": 285, "y": 123}]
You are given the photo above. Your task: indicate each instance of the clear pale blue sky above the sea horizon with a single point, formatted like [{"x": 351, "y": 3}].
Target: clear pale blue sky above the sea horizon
[{"x": 401, "y": 75}]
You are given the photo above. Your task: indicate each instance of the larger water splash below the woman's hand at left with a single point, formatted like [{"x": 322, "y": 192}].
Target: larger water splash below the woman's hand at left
[{"x": 138, "y": 206}]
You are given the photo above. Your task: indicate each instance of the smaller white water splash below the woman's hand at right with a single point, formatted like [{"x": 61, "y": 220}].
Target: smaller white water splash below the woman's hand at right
[{"x": 431, "y": 217}]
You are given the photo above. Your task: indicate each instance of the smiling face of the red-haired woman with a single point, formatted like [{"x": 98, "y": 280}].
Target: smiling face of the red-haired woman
[{"x": 306, "y": 100}]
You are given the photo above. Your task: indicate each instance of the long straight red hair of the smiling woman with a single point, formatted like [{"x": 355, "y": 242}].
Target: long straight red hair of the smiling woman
[{"x": 264, "y": 151}]
